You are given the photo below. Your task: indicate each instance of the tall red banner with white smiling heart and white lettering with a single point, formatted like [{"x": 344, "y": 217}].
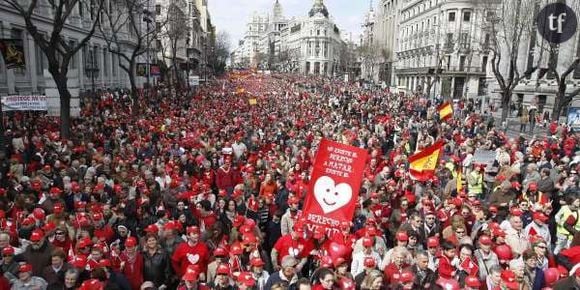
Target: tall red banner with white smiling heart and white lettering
[{"x": 334, "y": 186}]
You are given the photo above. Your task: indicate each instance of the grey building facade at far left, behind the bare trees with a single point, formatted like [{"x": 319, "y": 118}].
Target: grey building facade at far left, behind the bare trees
[{"x": 93, "y": 67}]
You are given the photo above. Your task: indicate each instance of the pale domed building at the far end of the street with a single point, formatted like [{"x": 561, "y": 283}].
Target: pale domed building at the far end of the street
[{"x": 311, "y": 44}]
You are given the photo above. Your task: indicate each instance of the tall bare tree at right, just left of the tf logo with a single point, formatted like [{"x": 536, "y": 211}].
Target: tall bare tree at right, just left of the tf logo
[{"x": 510, "y": 23}]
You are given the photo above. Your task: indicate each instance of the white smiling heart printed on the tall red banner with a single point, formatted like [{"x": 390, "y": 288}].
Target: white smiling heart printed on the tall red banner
[{"x": 331, "y": 196}]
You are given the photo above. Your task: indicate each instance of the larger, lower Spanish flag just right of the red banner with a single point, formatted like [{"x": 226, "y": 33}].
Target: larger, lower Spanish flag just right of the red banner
[{"x": 422, "y": 164}]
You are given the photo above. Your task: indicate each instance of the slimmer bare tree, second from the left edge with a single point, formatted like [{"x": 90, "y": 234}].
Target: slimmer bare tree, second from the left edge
[{"x": 125, "y": 20}]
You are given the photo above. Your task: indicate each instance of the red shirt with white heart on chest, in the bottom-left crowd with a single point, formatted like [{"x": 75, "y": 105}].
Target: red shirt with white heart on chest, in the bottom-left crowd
[{"x": 185, "y": 255}]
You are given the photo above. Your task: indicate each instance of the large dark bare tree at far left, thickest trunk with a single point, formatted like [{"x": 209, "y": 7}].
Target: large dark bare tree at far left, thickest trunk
[{"x": 58, "y": 50}]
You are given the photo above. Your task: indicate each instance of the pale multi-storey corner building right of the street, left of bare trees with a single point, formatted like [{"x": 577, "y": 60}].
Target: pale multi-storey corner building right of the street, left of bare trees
[{"x": 441, "y": 47}]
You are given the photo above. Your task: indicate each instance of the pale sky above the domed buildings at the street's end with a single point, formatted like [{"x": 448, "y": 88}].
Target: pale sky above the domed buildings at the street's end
[{"x": 232, "y": 15}]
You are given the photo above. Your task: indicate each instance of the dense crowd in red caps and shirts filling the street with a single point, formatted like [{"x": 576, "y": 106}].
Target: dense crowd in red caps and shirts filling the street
[{"x": 204, "y": 190}]
